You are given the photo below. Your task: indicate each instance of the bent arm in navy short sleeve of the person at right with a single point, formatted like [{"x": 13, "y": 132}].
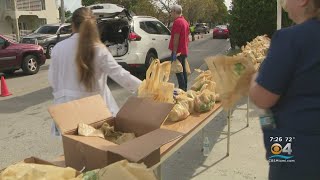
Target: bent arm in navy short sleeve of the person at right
[{"x": 275, "y": 73}]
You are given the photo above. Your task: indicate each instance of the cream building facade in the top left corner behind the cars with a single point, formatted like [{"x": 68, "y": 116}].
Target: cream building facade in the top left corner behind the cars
[{"x": 25, "y": 16}]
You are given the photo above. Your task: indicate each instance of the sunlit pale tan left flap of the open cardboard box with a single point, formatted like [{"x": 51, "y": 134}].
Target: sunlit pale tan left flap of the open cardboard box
[{"x": 88, "y": 110}]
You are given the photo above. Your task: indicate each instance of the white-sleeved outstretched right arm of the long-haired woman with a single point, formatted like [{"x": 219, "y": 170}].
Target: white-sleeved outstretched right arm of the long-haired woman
[{"x": 116, "y": 71}]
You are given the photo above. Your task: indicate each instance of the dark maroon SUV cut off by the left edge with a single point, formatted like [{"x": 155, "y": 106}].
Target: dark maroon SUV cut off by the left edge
[{"x": 14, "y": 56}]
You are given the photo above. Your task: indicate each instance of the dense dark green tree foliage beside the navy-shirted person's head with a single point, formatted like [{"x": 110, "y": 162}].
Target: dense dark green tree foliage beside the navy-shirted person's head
[{"x": 251, "y": 18}]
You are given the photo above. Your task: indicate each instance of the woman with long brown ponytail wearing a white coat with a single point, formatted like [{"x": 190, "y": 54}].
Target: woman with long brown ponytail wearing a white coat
[{"x": 81, "y": 64}]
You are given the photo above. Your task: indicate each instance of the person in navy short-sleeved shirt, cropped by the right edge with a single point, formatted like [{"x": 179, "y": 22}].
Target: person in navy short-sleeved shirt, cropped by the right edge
[{"x": 288, "y": 87}]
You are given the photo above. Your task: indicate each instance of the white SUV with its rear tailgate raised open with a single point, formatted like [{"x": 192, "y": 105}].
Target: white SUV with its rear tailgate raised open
[{"x": 134, "y": 41}]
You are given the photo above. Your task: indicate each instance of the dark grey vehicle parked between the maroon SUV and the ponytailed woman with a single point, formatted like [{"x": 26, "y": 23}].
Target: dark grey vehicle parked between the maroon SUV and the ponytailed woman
[{"x": 48, "y": 35}]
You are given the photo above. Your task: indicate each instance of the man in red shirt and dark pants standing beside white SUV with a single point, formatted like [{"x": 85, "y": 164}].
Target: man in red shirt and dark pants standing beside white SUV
[{"x": 179, "y": 43}]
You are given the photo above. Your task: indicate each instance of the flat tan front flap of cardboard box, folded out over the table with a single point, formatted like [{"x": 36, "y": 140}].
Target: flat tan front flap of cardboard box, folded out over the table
[{"x": 139, "y": 148}]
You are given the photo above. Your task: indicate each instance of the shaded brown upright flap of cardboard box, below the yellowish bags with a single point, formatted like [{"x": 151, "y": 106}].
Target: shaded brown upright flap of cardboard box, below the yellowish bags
[{"x": 141, "y": 115}]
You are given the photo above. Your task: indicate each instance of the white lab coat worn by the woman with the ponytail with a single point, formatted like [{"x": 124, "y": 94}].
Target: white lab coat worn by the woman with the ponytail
[{"x": 63, "y": 75}]
